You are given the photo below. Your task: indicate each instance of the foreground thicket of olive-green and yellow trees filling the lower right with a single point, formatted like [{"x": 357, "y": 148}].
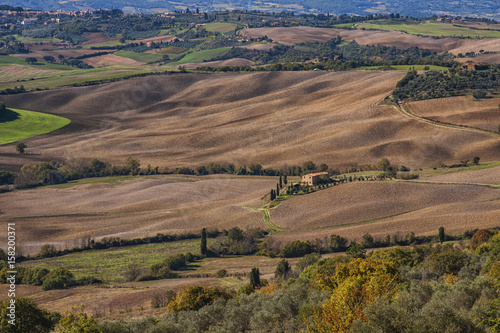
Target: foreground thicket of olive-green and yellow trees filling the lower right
[{"x": 431, "y": 288}]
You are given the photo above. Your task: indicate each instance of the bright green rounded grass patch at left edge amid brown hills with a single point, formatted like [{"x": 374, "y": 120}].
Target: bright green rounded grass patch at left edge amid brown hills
[{"x": 16, "y": 125}]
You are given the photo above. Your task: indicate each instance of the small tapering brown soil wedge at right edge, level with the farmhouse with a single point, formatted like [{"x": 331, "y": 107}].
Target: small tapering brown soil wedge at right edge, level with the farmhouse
[{"x": 484, "y": 176}]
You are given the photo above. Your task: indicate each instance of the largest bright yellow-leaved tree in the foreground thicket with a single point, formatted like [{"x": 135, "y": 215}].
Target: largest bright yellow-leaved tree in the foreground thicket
[{"x": 356, "y": 284}]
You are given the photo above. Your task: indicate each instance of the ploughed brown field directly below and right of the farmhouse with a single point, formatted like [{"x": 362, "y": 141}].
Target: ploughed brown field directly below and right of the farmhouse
[{"x": 423, "y": 208}]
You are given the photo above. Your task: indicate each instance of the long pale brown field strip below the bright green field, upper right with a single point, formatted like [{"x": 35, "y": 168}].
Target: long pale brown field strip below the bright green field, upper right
[{"x": 294, "y": 35}]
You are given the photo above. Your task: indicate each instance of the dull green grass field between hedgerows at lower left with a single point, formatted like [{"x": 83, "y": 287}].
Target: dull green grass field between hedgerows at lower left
[{"x": 109, "y": 265}]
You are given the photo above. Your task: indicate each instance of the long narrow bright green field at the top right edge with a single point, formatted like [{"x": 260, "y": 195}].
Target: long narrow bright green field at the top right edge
[{"x": 428, "y": 29}]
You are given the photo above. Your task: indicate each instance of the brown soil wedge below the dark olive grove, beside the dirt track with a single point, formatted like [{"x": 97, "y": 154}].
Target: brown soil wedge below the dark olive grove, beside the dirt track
[{"x": 461, "y": 111}]
